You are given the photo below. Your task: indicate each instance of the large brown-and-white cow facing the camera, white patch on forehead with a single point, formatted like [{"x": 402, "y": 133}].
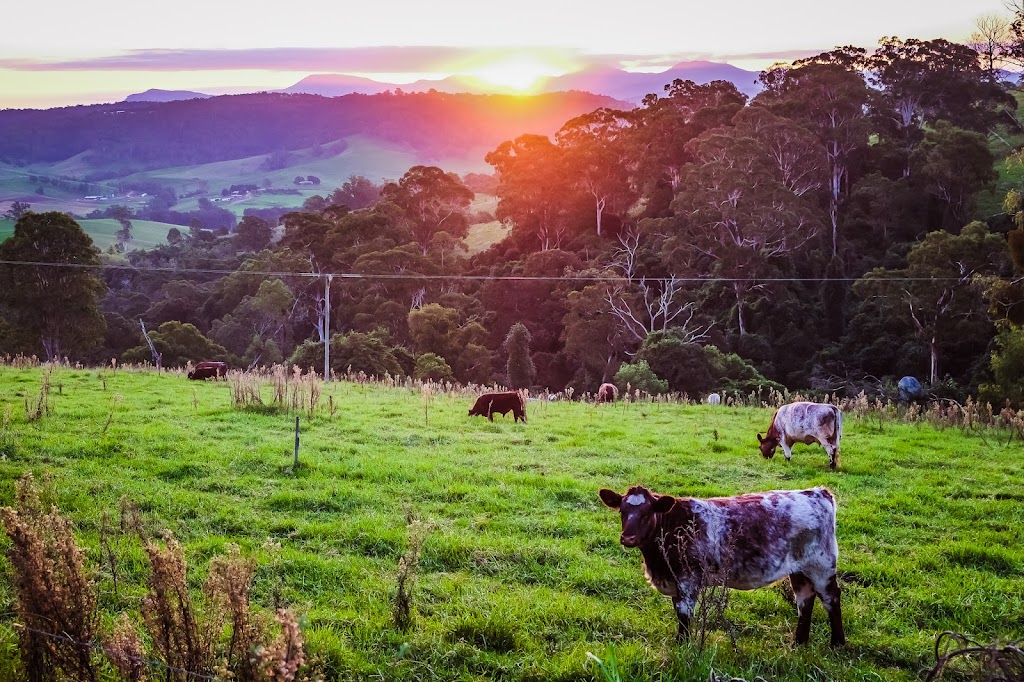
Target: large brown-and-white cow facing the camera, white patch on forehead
[{"x": 746, "y": 542}]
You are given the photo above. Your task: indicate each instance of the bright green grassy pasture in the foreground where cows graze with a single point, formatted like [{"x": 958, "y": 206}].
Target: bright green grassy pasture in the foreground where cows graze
[{"x": 523, "y": 574}]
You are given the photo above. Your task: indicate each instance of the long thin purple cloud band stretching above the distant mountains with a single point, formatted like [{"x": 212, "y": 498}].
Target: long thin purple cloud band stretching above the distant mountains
[{"x": 362, "y": 60}]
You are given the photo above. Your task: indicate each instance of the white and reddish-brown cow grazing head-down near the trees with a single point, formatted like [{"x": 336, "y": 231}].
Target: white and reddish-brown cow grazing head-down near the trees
[{"x": 806, "y": 423}]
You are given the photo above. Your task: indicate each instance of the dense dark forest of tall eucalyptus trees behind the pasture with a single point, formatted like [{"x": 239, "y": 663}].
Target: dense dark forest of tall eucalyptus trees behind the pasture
[{"x": 823, "y": 236}]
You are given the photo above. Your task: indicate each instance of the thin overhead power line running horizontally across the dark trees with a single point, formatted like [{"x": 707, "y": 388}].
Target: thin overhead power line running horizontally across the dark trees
[{"x": 448, "y": 278}]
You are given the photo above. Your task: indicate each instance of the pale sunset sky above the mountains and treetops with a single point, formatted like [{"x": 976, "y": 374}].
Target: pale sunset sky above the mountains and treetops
[{"x": 66, "y": 53}]
